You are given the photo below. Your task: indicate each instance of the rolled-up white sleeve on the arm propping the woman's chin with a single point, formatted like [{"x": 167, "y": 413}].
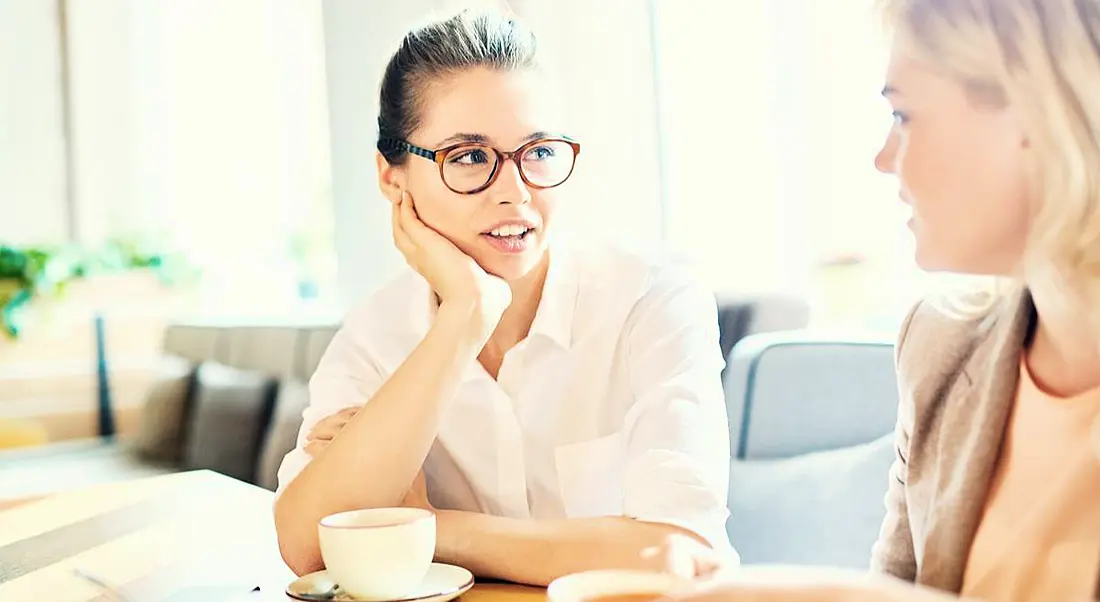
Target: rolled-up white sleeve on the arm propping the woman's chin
[{"x": 347, "y": 377}]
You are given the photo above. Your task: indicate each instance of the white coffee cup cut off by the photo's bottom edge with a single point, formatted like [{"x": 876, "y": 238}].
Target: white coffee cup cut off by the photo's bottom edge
[{"x": 592, "y": 586}]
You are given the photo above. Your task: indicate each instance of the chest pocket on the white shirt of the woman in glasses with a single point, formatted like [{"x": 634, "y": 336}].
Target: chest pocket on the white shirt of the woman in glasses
[{"x": 590, "y": 476}]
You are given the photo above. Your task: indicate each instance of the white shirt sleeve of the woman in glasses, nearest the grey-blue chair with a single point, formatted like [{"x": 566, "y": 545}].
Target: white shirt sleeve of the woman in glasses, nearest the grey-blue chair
[{"x": 677, "y": 433}]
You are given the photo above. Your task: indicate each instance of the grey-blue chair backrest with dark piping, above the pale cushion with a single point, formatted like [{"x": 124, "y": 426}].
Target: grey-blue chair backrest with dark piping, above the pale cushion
[{"x": 789, "y": 395}]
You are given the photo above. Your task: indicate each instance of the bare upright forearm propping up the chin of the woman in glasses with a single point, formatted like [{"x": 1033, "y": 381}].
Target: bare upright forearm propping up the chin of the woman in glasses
[{"x": 380, "y": 452}]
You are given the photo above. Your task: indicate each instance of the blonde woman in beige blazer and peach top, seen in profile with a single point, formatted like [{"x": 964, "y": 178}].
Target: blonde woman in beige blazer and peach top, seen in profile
[{"x": 996, "y": 490}]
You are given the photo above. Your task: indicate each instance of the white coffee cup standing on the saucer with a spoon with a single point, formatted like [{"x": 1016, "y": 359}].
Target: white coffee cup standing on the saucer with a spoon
[{"x": 379, "y": 554}]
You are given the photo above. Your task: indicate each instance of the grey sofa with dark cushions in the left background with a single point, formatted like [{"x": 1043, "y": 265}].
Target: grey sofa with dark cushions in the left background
[{"x": 229, "y": 398}]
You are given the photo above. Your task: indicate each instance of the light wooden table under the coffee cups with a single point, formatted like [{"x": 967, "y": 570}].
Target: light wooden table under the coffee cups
[{"x": 192, "y": 537}]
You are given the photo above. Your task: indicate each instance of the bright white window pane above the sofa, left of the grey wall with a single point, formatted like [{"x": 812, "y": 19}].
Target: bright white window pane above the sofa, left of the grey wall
[{"x": 233, "y": 144}]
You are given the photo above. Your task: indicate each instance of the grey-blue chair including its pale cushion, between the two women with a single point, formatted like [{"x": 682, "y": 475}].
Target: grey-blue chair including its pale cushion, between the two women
[{"x": 812, "y": 442}]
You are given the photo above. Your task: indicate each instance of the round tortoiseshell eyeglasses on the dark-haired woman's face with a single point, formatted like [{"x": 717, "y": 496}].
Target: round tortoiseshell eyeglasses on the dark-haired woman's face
[{"x": 469, "y": 168}]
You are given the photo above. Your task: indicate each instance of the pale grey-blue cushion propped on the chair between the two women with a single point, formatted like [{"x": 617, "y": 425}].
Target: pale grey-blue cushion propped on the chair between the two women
[{"x": 819, "y": 509}]
